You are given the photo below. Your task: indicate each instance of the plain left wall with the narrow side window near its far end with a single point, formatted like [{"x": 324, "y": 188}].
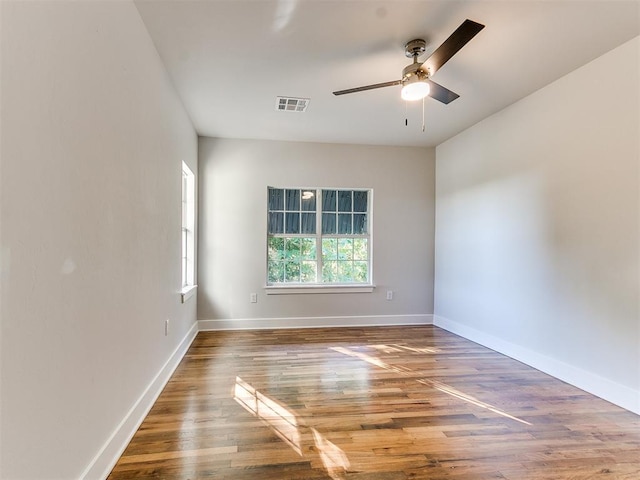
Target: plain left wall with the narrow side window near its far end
[{"x": 93, "y": 137}]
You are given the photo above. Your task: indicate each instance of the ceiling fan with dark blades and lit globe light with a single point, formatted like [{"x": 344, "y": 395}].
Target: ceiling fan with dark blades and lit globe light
[{"x": 416, "y": 82}]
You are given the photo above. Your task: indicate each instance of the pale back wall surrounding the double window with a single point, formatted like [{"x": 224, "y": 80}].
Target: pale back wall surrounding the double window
[{"x": 234, "y": 175}]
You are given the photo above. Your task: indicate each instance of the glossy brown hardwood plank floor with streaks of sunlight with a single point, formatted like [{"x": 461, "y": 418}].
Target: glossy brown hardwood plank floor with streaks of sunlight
[{"x": 381, "y": 403}]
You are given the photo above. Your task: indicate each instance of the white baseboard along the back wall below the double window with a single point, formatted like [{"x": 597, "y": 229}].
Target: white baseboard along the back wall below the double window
[{"x": 314, "y": 322}]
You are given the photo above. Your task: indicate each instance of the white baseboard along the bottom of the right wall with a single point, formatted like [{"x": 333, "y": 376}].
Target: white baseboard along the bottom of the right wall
[{"x": 613, "y": 392}]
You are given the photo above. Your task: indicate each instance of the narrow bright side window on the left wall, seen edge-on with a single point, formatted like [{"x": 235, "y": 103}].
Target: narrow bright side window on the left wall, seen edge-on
[{"x": 188, "y": 232}]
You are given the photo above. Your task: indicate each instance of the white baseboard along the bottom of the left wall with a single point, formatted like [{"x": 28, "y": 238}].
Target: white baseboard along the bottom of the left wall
[{"x": 104, "y": 461}]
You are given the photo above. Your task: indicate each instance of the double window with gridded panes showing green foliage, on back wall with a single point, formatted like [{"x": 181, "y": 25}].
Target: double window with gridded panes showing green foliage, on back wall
[{"x": 318, "y": 236}]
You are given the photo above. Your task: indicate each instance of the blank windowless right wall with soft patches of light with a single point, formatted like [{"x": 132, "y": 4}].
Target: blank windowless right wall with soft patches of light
[{"x": 537, "y": 229}]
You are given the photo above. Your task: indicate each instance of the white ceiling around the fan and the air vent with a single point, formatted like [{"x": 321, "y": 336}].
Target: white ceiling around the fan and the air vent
[{"x": 230, "y": 59}]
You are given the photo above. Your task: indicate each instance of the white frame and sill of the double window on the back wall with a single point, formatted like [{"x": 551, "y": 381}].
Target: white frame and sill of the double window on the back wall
[{"x": 275, "y": 288}]
